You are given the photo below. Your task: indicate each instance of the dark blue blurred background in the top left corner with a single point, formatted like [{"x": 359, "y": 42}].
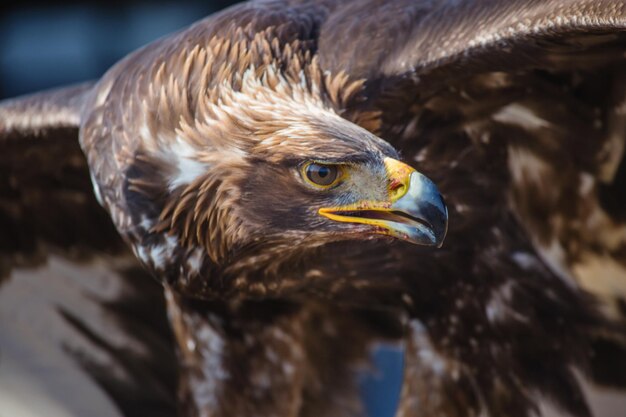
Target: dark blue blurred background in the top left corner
[{"x": 47, "y": 44}]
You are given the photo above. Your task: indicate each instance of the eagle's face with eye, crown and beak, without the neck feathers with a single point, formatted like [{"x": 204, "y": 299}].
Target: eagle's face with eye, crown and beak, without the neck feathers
[{"x": 330, "y": 180}]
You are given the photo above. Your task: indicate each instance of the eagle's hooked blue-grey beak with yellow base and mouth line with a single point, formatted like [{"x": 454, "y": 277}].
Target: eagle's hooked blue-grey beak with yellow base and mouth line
[{"x": 415, "y": 211}]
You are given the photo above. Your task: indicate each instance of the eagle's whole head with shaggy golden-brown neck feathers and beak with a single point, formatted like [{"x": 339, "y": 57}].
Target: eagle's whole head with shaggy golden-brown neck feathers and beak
[{"x": 258, "y": 170}]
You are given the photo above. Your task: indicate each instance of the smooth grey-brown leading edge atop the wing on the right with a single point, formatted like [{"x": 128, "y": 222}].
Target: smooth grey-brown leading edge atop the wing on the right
[{"x": 413, "y": 38}]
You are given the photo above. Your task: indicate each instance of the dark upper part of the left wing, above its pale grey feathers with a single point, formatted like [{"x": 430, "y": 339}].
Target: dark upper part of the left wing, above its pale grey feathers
[{"x": 47, "y": 197}]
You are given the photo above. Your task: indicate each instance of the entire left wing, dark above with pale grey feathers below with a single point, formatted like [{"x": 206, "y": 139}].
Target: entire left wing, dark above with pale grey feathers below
[{"x": 82, "y": 326}]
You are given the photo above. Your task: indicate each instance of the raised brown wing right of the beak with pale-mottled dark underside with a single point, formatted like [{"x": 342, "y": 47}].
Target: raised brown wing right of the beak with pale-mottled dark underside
[{"x": 545, "y": 80}]
